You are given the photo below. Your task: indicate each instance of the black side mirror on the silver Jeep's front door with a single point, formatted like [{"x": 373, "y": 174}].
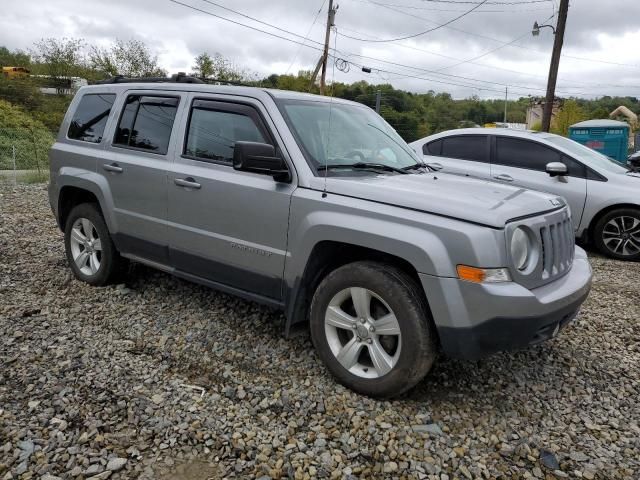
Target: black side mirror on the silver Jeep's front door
[{"x": 260, "y": 158}]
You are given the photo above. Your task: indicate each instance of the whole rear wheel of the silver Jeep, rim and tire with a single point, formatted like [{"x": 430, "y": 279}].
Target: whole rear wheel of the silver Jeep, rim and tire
[{"x": 90, "y": 251}]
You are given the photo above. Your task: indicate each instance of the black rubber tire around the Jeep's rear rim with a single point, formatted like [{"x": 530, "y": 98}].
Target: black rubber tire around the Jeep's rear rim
[{"x": 111, "y": 263}]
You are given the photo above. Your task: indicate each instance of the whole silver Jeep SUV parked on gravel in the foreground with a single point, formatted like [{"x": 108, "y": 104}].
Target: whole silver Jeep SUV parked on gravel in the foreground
[{"x": 317, "y": 207}]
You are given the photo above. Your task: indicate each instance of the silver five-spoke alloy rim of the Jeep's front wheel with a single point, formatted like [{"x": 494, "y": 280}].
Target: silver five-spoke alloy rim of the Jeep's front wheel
[{"x": 363, "y": 332}]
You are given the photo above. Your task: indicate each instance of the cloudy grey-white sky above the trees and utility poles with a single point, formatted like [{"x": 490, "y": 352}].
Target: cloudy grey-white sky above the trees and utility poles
[{"x": 484, "y": 52}]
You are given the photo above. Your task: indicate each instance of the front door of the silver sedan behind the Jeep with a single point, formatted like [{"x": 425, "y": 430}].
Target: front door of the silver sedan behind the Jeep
[{"x": 523, "y": 162}]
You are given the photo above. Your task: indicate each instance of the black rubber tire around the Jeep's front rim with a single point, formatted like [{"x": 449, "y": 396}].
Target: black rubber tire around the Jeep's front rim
[{"x": 400, "y": 292}]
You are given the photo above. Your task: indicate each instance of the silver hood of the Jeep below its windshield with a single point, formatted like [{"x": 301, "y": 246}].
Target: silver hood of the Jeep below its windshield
[{"x": 465, "y": 198}]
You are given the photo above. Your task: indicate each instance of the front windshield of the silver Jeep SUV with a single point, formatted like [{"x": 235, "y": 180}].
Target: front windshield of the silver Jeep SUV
[{"x": 338, "y": 134}]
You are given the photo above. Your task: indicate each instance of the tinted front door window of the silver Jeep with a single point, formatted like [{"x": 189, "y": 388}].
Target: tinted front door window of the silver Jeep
[{"x": 213, "y": 132}]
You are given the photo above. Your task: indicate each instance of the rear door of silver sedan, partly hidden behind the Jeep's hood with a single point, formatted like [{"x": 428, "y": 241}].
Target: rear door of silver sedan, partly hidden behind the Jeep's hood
[{"x": 460, "y": 154}]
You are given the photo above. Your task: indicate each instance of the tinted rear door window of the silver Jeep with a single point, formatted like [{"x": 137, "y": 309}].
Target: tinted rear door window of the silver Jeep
[{"x": 146, "y": 123}]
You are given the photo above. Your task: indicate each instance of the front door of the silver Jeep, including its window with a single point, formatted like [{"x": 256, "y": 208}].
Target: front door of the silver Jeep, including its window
[{"x": 227, "y": 226}]
